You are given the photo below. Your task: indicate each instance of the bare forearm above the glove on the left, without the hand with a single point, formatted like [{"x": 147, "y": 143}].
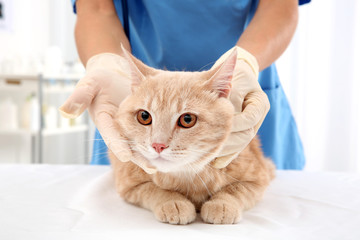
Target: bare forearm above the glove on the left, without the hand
[{"x": 98, "y": 29}]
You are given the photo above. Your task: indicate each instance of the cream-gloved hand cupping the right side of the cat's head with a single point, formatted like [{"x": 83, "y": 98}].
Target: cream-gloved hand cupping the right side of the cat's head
[{"x": 250, "y": 102}]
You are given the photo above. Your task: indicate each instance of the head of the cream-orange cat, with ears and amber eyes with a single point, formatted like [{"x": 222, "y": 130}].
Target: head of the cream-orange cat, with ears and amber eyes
[{"x": 178, "y": 121}]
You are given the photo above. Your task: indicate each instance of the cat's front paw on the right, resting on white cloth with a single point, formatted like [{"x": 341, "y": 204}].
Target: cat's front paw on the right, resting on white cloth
[{"x": 220, "y": 212}]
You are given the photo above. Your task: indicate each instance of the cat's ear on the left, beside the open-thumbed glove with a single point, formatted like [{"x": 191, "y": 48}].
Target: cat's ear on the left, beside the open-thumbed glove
[{"x": 138, "y": 69}]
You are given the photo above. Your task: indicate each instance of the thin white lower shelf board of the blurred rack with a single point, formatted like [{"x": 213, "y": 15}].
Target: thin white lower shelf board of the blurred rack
[{"x": 45, "y": 131}]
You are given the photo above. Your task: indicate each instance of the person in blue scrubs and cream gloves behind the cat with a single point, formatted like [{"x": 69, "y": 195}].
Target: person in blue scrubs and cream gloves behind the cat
[{"x": 189, "y": 35}]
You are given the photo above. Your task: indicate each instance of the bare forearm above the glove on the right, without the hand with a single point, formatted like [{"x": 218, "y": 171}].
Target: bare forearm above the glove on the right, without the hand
[{"x": 270, "y": 30}]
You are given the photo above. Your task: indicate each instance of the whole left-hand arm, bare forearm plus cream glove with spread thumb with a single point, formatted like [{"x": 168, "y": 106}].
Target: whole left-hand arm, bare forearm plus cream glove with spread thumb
[{"x": 100, "y": 39}]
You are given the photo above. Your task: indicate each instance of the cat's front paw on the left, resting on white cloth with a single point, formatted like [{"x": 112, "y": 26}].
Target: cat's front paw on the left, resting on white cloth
[{"x": 176, "y": 212}]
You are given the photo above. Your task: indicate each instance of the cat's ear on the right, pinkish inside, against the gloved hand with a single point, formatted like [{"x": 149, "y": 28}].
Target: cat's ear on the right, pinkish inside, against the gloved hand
[{"x": 221, "y": 76}]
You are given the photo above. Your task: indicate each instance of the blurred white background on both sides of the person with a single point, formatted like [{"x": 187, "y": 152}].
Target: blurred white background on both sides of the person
[{"x": 39, "y": 67}]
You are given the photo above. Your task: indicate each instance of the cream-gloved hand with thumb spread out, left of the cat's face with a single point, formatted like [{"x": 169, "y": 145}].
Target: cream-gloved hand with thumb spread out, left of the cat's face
[{"x": 105, "y": 85}]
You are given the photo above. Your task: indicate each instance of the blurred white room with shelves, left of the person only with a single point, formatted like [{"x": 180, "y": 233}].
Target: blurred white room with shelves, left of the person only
[{"x": 39, "y": 68}]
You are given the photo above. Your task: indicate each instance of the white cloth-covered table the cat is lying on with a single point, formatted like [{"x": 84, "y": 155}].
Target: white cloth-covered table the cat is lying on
[{"x": 80, "y": 202}]
